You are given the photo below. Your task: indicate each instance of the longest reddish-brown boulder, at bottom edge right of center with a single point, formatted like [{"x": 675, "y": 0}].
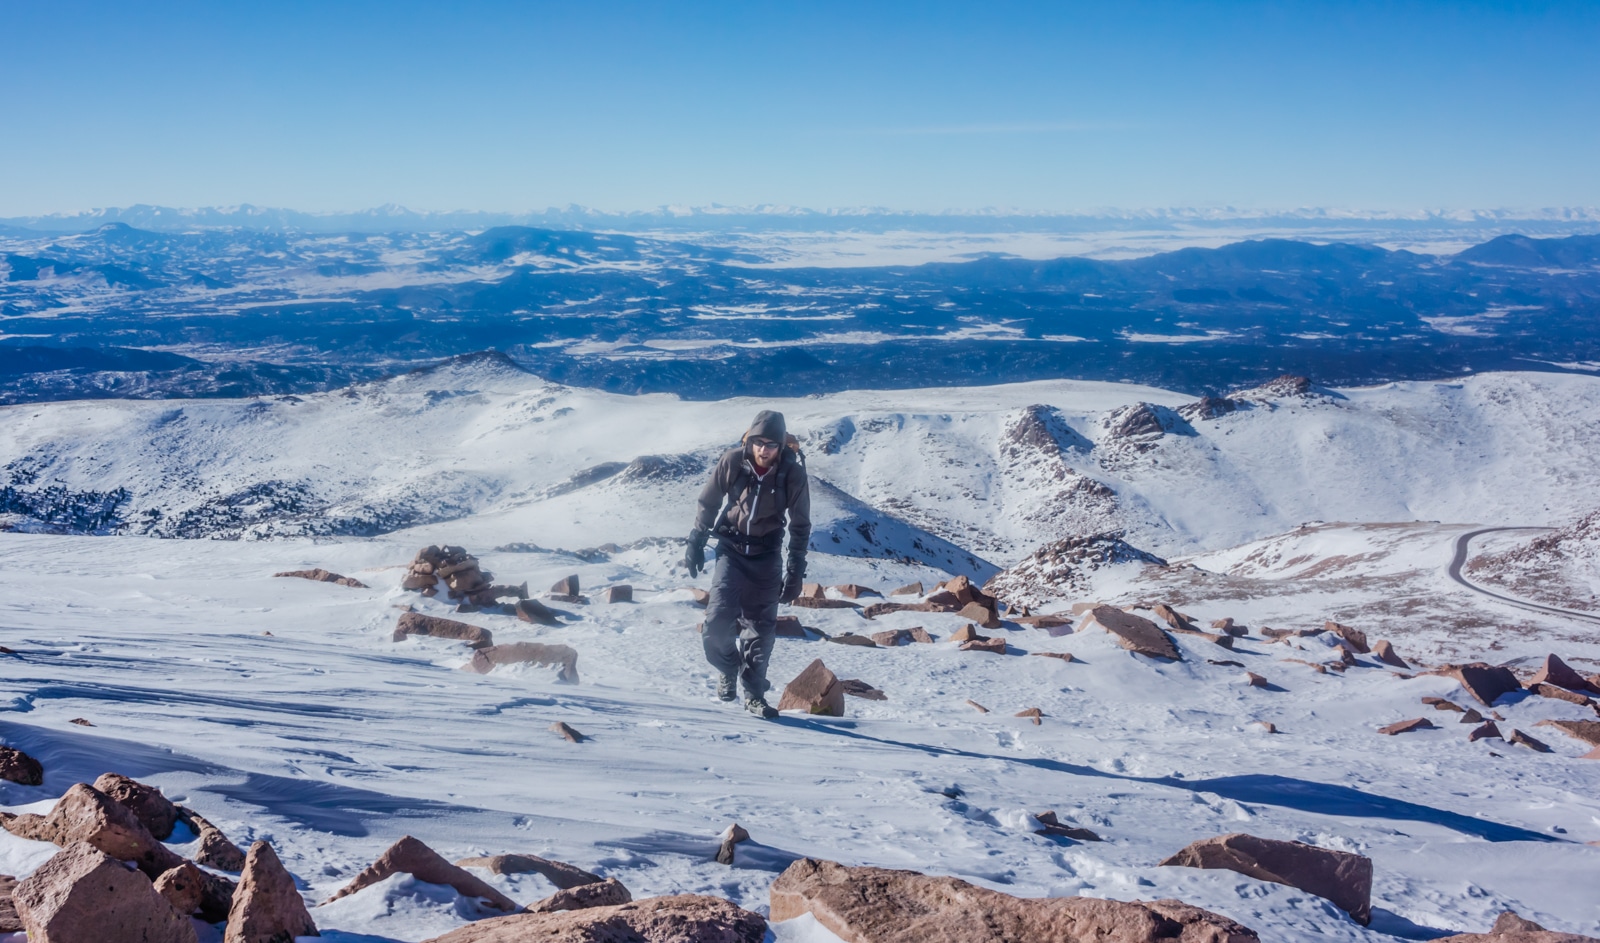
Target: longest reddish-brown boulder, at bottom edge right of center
[{"x": 876, "y": 905}]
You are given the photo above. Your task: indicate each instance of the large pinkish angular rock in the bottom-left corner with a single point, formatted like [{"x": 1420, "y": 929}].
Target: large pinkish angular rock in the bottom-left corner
[{"x": 82, "y": 894}]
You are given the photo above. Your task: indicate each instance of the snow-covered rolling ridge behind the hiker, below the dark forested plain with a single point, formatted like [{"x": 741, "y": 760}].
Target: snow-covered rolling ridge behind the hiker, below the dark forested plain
[{"x": 961, "y": 480}]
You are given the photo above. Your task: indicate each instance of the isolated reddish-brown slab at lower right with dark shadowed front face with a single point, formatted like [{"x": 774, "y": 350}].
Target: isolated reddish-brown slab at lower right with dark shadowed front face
[{"x": 1342, "y": 878}]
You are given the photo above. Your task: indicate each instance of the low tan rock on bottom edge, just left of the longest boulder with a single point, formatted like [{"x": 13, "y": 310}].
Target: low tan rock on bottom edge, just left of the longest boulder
[{"x": 658, "y": 920}]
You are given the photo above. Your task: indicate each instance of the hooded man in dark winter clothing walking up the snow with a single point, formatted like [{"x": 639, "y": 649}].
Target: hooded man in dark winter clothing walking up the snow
[{"x": 764, "y": 481}]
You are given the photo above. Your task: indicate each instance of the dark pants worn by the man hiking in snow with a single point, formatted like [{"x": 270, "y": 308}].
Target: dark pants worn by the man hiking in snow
[{"x": 742, "y": 619}]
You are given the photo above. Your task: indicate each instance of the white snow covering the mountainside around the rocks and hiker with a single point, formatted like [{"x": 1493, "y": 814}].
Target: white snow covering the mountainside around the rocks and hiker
[{"x": 332, "y": 742}]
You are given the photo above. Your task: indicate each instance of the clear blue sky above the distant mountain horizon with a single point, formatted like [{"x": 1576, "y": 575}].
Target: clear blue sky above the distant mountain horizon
[{"x": 914, "y": 106}]
